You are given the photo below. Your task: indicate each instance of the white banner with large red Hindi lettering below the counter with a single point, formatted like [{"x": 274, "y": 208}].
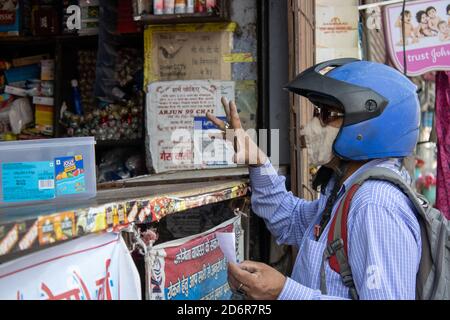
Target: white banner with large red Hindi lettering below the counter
[{"x": 96, "y": 267}]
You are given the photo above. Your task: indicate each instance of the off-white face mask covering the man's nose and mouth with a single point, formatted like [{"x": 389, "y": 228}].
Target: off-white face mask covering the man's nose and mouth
[{"x": 319, "y": 142}]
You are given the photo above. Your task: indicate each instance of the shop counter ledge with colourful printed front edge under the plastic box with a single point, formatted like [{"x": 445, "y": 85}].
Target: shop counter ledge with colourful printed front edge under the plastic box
[{"x": 21, "y": 228}]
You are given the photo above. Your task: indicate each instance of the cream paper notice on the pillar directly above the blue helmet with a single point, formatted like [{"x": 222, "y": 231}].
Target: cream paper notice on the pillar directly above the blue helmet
[{"x": 337, "y": 29}]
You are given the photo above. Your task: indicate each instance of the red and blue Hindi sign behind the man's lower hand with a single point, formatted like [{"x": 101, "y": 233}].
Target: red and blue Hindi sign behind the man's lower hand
[{"x": 193, "y": 268}]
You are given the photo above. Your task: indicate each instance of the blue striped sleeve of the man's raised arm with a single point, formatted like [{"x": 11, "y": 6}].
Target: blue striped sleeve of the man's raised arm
[{"x": 286, "y": 216}]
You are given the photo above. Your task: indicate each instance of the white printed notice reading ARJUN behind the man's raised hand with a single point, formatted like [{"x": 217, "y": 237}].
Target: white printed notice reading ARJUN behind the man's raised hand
[{"x": 177, "y": 127}]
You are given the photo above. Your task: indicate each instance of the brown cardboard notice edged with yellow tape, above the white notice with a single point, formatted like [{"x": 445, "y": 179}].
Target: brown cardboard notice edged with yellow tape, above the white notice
[{"x": 184, "y": 52}]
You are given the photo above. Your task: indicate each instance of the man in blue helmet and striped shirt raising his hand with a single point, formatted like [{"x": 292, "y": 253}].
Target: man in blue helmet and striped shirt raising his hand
[{"x": 366, "y": 116}]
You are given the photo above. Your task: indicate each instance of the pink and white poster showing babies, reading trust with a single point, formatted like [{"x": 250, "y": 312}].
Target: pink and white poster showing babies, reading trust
[{"x": 427, "y": 35}]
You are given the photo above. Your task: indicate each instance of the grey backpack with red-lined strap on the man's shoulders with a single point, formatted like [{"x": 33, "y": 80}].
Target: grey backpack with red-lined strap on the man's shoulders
[{"x": 433, "y": 278}]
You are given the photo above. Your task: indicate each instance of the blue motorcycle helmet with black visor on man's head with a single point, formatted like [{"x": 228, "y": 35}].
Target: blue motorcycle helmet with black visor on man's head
[{"x": 381, "y": 107}]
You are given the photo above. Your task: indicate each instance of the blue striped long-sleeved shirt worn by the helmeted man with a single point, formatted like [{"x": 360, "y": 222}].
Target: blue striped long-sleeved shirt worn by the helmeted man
[{"x": 384, "y": 244}]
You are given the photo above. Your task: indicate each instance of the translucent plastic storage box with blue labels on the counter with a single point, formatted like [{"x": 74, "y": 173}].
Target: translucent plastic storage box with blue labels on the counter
[{"x": 55, "y": 170}]
